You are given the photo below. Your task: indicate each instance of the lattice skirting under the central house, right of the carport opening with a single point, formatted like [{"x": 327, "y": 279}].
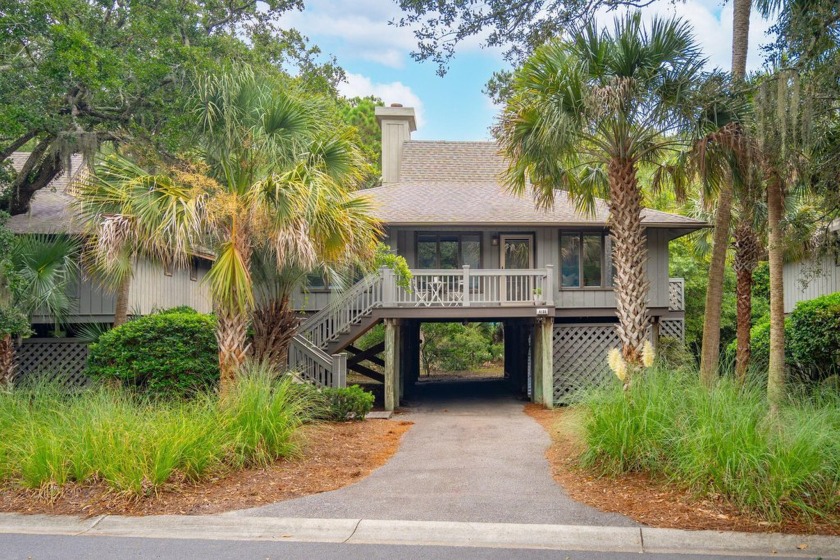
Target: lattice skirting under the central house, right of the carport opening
[{"x": 580, "y": 355}]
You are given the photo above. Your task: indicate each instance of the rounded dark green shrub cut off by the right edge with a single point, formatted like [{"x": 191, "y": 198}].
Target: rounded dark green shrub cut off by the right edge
[{"x": 815, "y": 336}]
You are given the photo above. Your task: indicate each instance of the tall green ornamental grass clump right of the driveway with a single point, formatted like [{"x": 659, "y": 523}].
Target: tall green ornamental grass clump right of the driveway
[{"x": 721, "y": 441}]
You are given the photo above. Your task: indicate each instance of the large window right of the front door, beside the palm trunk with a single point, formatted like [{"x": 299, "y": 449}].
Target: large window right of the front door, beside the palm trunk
[{"x": 585, "y": 260}]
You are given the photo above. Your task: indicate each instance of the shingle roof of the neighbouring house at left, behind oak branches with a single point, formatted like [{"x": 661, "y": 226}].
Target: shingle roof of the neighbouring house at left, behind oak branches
[{"x": 50, "y": 208}]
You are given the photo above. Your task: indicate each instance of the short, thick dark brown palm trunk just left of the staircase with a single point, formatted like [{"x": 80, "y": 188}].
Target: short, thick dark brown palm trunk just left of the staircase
[{"x": 274, "y": 323}]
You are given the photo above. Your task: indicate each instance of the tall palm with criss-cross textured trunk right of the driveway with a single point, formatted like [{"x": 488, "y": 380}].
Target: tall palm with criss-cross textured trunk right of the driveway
[{"x": 585, "y": 113}]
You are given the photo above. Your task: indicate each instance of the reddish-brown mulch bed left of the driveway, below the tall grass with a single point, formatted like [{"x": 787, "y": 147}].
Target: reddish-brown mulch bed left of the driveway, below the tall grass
[{"x": 335, "y": 455}]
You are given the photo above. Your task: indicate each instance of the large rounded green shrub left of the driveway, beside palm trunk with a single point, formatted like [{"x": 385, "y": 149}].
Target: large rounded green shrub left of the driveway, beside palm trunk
[{"x": 172, "y": 353}]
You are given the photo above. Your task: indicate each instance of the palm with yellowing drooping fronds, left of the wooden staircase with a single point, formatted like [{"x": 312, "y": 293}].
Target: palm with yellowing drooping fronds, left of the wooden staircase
[{"x": 282, "y": 181}]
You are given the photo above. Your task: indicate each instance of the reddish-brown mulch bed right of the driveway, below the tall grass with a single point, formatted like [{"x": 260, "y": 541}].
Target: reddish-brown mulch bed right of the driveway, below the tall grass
[{"x": 653, "y": 502}]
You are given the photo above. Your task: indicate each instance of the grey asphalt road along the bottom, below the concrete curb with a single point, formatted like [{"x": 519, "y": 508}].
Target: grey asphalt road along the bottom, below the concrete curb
[{"x": 43, "y": 547}]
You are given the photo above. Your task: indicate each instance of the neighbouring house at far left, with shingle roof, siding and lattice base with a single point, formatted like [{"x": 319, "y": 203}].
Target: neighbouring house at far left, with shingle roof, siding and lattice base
[{"x": 152, "y": 287}]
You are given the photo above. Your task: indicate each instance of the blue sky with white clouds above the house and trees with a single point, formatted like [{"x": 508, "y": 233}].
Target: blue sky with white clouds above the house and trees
[{"x": 376, "y": 57}]
